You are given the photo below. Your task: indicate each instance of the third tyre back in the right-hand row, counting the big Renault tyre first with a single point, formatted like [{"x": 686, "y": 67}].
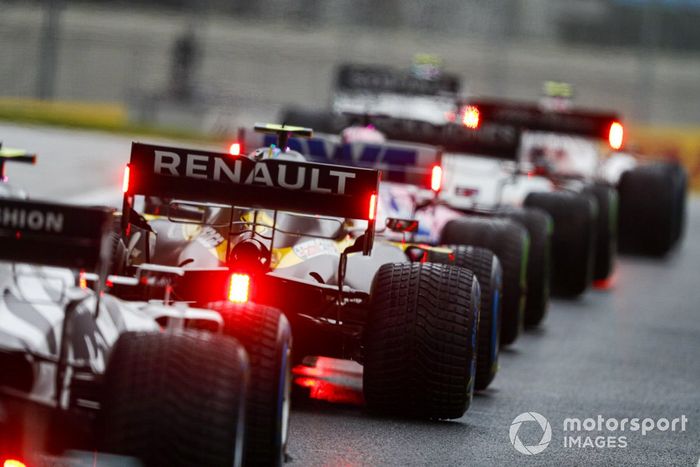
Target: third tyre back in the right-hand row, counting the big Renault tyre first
[{"x": 510, "y": 241}]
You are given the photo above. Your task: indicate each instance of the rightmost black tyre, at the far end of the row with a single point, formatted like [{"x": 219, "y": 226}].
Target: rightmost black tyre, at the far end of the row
[{"x": 652, "y": 208}]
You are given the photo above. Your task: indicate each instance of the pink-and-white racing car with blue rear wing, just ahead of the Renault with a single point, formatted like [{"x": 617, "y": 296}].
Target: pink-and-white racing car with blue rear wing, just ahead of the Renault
[{"x": 405, "y": 166}]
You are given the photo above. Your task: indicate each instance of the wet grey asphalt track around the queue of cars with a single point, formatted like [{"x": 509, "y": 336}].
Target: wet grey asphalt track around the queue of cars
[{"x": 633, "y": 351}]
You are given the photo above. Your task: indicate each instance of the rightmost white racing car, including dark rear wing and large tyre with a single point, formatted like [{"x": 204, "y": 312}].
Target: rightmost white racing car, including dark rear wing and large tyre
[{"x": 561, "y": 144}]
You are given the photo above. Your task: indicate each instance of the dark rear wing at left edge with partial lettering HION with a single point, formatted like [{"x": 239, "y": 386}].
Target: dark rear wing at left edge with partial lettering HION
[{"x": 54, "y": 234}]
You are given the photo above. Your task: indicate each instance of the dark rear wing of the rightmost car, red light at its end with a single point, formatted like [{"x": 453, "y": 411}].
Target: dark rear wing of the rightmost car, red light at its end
[{"x": 532, "y": 117}]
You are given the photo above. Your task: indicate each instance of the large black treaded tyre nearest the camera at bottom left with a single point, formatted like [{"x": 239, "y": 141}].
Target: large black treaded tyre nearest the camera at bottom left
[{"x": 175, "y": 399}]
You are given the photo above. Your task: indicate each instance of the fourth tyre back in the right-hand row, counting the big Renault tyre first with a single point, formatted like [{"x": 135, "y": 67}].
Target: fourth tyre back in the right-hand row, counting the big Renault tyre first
[{"x": 539, "y": 226}]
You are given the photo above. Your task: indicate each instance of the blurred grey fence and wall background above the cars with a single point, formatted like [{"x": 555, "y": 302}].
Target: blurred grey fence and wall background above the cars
[{"x": 208, "y": 66}]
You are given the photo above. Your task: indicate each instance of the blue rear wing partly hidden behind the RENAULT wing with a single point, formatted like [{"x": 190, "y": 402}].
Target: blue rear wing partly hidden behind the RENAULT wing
[{"x": 399, "y": 162}]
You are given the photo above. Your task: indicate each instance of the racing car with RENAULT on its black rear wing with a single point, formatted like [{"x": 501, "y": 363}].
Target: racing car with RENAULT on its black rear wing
[{"x": 273, "y": 230}]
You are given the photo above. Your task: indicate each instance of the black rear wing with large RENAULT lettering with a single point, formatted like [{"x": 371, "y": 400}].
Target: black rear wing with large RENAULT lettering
[{"x": 274, "y": 183}]
